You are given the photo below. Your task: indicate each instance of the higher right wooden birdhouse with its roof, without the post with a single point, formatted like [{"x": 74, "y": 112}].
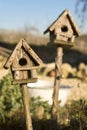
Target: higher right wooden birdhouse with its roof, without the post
[{"x": 63, "y": 30}]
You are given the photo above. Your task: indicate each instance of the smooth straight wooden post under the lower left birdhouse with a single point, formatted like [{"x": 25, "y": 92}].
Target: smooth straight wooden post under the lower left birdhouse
[{"x": 26, "y": 106}]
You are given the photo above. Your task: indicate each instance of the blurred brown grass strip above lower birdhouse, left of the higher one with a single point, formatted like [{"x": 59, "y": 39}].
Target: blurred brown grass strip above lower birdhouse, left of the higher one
[{"x": 13, "y": 37}]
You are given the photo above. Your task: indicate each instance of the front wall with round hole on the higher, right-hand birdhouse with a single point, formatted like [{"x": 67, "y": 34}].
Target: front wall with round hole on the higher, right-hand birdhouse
[{"x": 64, "y": 30}]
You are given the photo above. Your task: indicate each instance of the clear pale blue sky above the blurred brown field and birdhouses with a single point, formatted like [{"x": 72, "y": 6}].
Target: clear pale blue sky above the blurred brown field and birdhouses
[{"x": 19, "y": 14}]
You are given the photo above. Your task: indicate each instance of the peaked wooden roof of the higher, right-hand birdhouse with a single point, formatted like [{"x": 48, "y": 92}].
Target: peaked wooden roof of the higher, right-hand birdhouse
[{"x": 69, "y": 17}]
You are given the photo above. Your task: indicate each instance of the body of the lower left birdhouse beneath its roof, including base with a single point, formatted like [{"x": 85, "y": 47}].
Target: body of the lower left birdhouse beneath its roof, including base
[{"x": 22, "y": 67}]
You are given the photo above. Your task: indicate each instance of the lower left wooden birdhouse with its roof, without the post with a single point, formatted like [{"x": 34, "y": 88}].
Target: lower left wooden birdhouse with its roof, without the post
[{"x": 24, "y": 63}]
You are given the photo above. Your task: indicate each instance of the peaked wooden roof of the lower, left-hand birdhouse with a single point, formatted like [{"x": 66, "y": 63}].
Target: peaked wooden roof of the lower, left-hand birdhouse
[{"x": 29, "y": 50}]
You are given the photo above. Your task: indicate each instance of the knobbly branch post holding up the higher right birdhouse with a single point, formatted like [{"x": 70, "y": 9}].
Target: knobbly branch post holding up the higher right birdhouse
[{"x": 58, "y": 76}]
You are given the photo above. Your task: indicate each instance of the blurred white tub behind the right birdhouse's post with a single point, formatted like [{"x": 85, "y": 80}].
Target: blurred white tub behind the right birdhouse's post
[{"x": 44, "y": 89}]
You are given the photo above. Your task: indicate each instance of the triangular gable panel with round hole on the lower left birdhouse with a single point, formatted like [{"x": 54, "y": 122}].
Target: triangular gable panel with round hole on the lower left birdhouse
[{"x": 23, "y": 60}]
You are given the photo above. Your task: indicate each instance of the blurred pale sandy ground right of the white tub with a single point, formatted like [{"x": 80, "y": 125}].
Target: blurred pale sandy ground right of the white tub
[{"x": 79, "y": 88}]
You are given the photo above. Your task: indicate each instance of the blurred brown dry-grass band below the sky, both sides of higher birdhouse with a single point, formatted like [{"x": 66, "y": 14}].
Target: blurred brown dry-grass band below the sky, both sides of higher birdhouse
[{"x": 14, "y": 36}]
